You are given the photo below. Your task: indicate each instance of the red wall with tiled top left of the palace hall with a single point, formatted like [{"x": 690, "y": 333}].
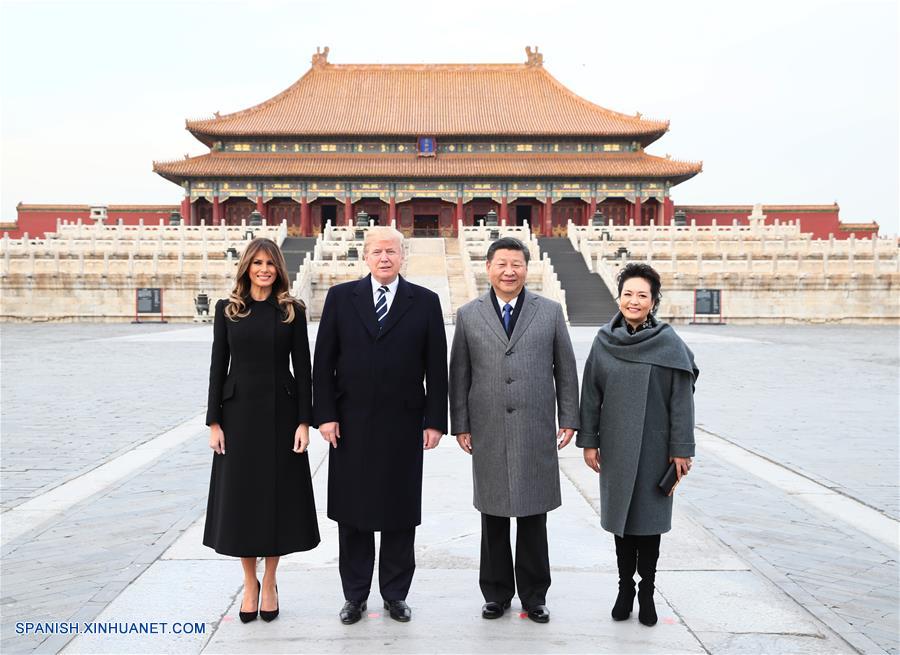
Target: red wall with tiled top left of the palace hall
[{"x": 37, "y": 220}]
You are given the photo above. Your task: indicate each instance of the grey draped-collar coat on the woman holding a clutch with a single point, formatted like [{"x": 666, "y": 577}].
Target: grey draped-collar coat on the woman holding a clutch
[{"x": 637, "y": 408}]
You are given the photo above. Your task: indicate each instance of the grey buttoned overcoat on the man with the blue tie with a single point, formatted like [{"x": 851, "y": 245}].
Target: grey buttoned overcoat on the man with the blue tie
[{"x": 508, "y": 393}]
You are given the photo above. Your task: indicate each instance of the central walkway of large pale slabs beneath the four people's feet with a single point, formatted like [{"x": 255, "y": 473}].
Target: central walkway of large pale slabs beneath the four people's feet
[{"x": 445, "y": 598}]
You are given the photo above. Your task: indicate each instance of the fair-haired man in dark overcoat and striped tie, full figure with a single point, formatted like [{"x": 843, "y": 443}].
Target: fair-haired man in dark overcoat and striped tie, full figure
[{"x": 379, "y": 339}]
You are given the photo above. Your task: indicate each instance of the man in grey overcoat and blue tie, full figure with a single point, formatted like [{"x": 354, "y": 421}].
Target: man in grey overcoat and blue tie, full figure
[{"x": 512, "y": 369}]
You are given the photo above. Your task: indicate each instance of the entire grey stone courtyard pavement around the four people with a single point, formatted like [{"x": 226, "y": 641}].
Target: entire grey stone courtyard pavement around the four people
[{"x": 750, "y": 566}]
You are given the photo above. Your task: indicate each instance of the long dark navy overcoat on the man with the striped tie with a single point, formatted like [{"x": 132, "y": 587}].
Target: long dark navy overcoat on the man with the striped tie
[{"x": 370, "y": 380}]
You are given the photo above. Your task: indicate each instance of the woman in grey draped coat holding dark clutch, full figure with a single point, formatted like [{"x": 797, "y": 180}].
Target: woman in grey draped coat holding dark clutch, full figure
[{"x": 637, "y": 417}]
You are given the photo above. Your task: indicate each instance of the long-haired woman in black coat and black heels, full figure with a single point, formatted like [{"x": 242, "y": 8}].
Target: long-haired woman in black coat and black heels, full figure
[{"x": 260, "y": 492}]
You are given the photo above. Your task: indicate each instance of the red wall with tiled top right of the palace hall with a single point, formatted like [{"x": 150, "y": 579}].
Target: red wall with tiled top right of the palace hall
[{"x": 819, "y": 220}]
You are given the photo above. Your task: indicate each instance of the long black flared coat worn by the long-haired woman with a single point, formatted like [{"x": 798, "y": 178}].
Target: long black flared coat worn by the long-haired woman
[{"x": 260, "y": 492}]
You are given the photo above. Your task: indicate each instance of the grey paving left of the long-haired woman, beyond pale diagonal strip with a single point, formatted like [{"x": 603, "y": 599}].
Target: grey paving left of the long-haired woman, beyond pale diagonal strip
[{"x": 75, "y": 396}]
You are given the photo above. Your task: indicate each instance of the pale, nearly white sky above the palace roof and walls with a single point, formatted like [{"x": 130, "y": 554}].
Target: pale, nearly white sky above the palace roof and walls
[{"x": 784, "y": 102}]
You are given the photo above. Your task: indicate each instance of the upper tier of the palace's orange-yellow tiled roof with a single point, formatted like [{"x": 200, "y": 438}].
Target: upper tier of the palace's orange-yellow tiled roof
[{"x": 427, "y": 100}]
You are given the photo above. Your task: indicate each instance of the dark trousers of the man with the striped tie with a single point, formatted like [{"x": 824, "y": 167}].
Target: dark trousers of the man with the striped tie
[{"x": 356, "y": 562}]
